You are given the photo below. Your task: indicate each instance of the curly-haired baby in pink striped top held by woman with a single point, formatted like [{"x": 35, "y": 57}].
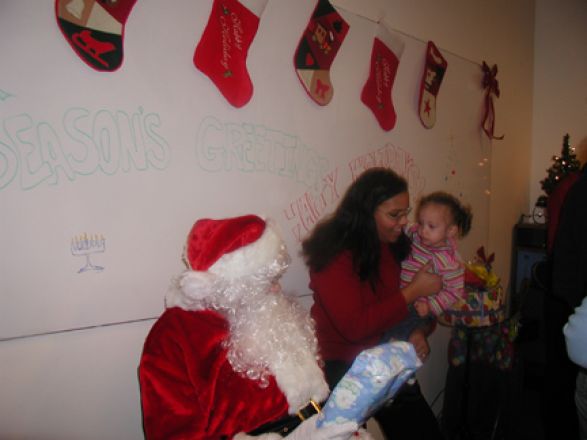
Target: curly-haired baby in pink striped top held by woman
[{"x": 441, "y": 220}]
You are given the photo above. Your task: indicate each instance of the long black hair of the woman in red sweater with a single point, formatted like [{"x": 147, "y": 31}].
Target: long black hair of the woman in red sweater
[{"x": 352, "y": 226}]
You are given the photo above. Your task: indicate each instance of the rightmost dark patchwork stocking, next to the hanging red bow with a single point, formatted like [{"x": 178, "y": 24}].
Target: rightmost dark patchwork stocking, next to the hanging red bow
[{"x": 433, "y": 74}]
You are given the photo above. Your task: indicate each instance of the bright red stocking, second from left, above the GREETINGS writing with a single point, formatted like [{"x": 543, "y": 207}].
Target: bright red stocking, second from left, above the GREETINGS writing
[{"x": 222, "y": 51}]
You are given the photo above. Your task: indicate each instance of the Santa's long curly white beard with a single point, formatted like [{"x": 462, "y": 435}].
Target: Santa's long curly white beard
[{"x": 273, "y": 335}]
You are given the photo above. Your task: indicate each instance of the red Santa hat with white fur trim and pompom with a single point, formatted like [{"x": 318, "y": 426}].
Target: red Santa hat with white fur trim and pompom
[{"x": 219, "y": 251}]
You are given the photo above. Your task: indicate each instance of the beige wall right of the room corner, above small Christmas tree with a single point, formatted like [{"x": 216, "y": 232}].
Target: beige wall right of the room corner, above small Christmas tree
[{"x": 560, "y": 83}]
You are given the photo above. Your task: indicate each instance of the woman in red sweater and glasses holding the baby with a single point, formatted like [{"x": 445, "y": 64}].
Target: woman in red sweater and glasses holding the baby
[{"x": 354, "y": 257}]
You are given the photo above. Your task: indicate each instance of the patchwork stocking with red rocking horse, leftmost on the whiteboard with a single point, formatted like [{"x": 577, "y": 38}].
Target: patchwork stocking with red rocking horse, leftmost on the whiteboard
[{"x": 95, "y": 29}]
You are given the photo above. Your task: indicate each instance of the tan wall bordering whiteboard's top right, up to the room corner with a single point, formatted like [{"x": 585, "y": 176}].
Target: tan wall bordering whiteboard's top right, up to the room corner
[{"x": 497, "y": 32}]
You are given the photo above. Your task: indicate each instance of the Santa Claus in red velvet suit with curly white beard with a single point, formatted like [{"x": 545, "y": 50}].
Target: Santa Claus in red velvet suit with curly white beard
[{"x": 231, "y": 356}]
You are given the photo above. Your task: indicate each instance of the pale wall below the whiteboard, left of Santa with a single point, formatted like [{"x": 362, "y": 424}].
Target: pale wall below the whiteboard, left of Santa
[{"x": 78, "y": 385}]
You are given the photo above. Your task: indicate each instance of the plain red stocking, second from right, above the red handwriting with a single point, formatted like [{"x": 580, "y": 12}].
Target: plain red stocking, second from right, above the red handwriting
[{"x": 385, "y": 55}]
